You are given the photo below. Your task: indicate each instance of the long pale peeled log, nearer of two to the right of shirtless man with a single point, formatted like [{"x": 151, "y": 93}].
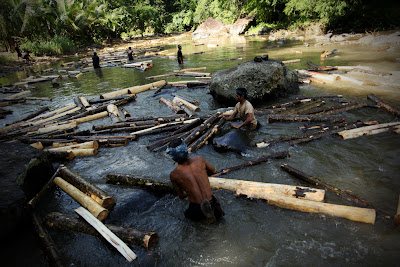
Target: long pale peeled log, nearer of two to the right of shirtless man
[{"x": 351, "y": 213}]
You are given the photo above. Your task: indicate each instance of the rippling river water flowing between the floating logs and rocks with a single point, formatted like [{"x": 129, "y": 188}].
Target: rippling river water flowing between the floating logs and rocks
[{"x": 252, "y": 233}]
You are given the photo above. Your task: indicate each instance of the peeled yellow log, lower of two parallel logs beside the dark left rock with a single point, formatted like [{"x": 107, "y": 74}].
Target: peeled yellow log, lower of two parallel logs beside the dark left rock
[{"x": 97, "y": 210}]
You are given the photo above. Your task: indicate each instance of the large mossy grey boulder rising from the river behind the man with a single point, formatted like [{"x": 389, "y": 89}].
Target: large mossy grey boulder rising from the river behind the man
[{"x": 264, "y": 80}]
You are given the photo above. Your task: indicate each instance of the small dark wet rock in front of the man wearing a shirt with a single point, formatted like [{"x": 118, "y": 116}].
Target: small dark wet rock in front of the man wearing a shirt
[{"x": 235, "y": 141}]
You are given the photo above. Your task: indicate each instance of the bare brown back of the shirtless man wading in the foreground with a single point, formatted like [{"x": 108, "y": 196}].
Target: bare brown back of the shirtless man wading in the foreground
[{"x": 190, "y": 179}]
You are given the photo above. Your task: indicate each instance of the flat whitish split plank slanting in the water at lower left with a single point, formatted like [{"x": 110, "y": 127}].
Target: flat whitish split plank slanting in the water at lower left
[{"x": 107, "y": 234}]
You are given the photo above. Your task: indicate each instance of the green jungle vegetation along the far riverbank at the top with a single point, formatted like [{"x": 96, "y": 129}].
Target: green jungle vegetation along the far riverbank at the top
[{"x": 59, "y": 26}]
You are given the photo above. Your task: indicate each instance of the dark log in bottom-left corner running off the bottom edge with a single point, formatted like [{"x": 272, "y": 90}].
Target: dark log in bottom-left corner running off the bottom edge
[{"x": 47, "y": 242}]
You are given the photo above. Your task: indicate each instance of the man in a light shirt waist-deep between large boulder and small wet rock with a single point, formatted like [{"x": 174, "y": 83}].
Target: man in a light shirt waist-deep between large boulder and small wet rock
[{"x": 245, "y": 111}]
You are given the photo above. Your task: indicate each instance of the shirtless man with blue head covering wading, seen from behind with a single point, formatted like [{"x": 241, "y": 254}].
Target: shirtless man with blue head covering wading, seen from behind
[{"x": 190, "y": 179}]
